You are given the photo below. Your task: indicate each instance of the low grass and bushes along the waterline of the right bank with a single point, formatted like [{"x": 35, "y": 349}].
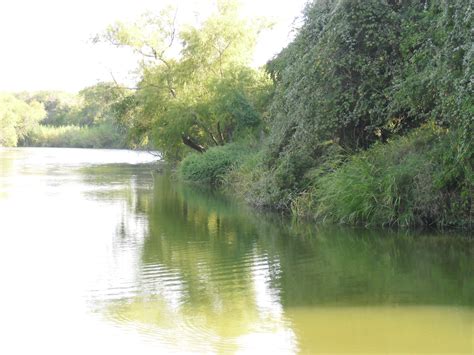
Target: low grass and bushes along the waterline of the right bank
[{"x": 424, "y": 179}]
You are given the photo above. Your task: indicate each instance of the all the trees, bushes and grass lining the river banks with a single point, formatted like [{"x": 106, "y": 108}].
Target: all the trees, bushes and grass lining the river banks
[{"x": 364, "y": 118}]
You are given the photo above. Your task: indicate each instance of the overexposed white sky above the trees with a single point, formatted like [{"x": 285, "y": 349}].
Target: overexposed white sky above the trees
[{"x": 46, "y": 44}]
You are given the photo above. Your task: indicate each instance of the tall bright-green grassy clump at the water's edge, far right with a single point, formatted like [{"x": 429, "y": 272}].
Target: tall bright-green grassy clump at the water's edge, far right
[{"x": 412, "y": 181}]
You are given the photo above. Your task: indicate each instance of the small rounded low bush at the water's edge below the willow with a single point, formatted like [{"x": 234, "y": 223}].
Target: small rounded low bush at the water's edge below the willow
[{"x": 212, "y": 166}]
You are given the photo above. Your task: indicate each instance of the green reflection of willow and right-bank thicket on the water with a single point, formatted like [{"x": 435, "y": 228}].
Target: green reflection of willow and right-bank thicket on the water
[{"x": 201, "y": 234}]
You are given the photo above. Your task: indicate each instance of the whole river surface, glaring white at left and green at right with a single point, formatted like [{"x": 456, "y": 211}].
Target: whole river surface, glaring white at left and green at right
[{"x": 100, "y": 251}]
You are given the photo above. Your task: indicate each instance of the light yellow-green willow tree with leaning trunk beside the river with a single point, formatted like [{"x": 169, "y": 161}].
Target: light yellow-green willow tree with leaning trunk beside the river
[{"x": 197, "y": 88}]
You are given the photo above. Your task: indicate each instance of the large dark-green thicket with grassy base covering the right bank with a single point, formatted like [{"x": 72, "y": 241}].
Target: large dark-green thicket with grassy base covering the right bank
[{"x": 351, "y": 93}]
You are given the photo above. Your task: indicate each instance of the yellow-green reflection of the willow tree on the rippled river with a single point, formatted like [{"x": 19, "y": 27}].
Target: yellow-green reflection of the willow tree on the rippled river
[{"x": 212, "y": 246}]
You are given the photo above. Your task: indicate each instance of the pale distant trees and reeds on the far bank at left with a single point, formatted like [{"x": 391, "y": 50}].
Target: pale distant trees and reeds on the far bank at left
[{"x": 88, "y": 119}]
